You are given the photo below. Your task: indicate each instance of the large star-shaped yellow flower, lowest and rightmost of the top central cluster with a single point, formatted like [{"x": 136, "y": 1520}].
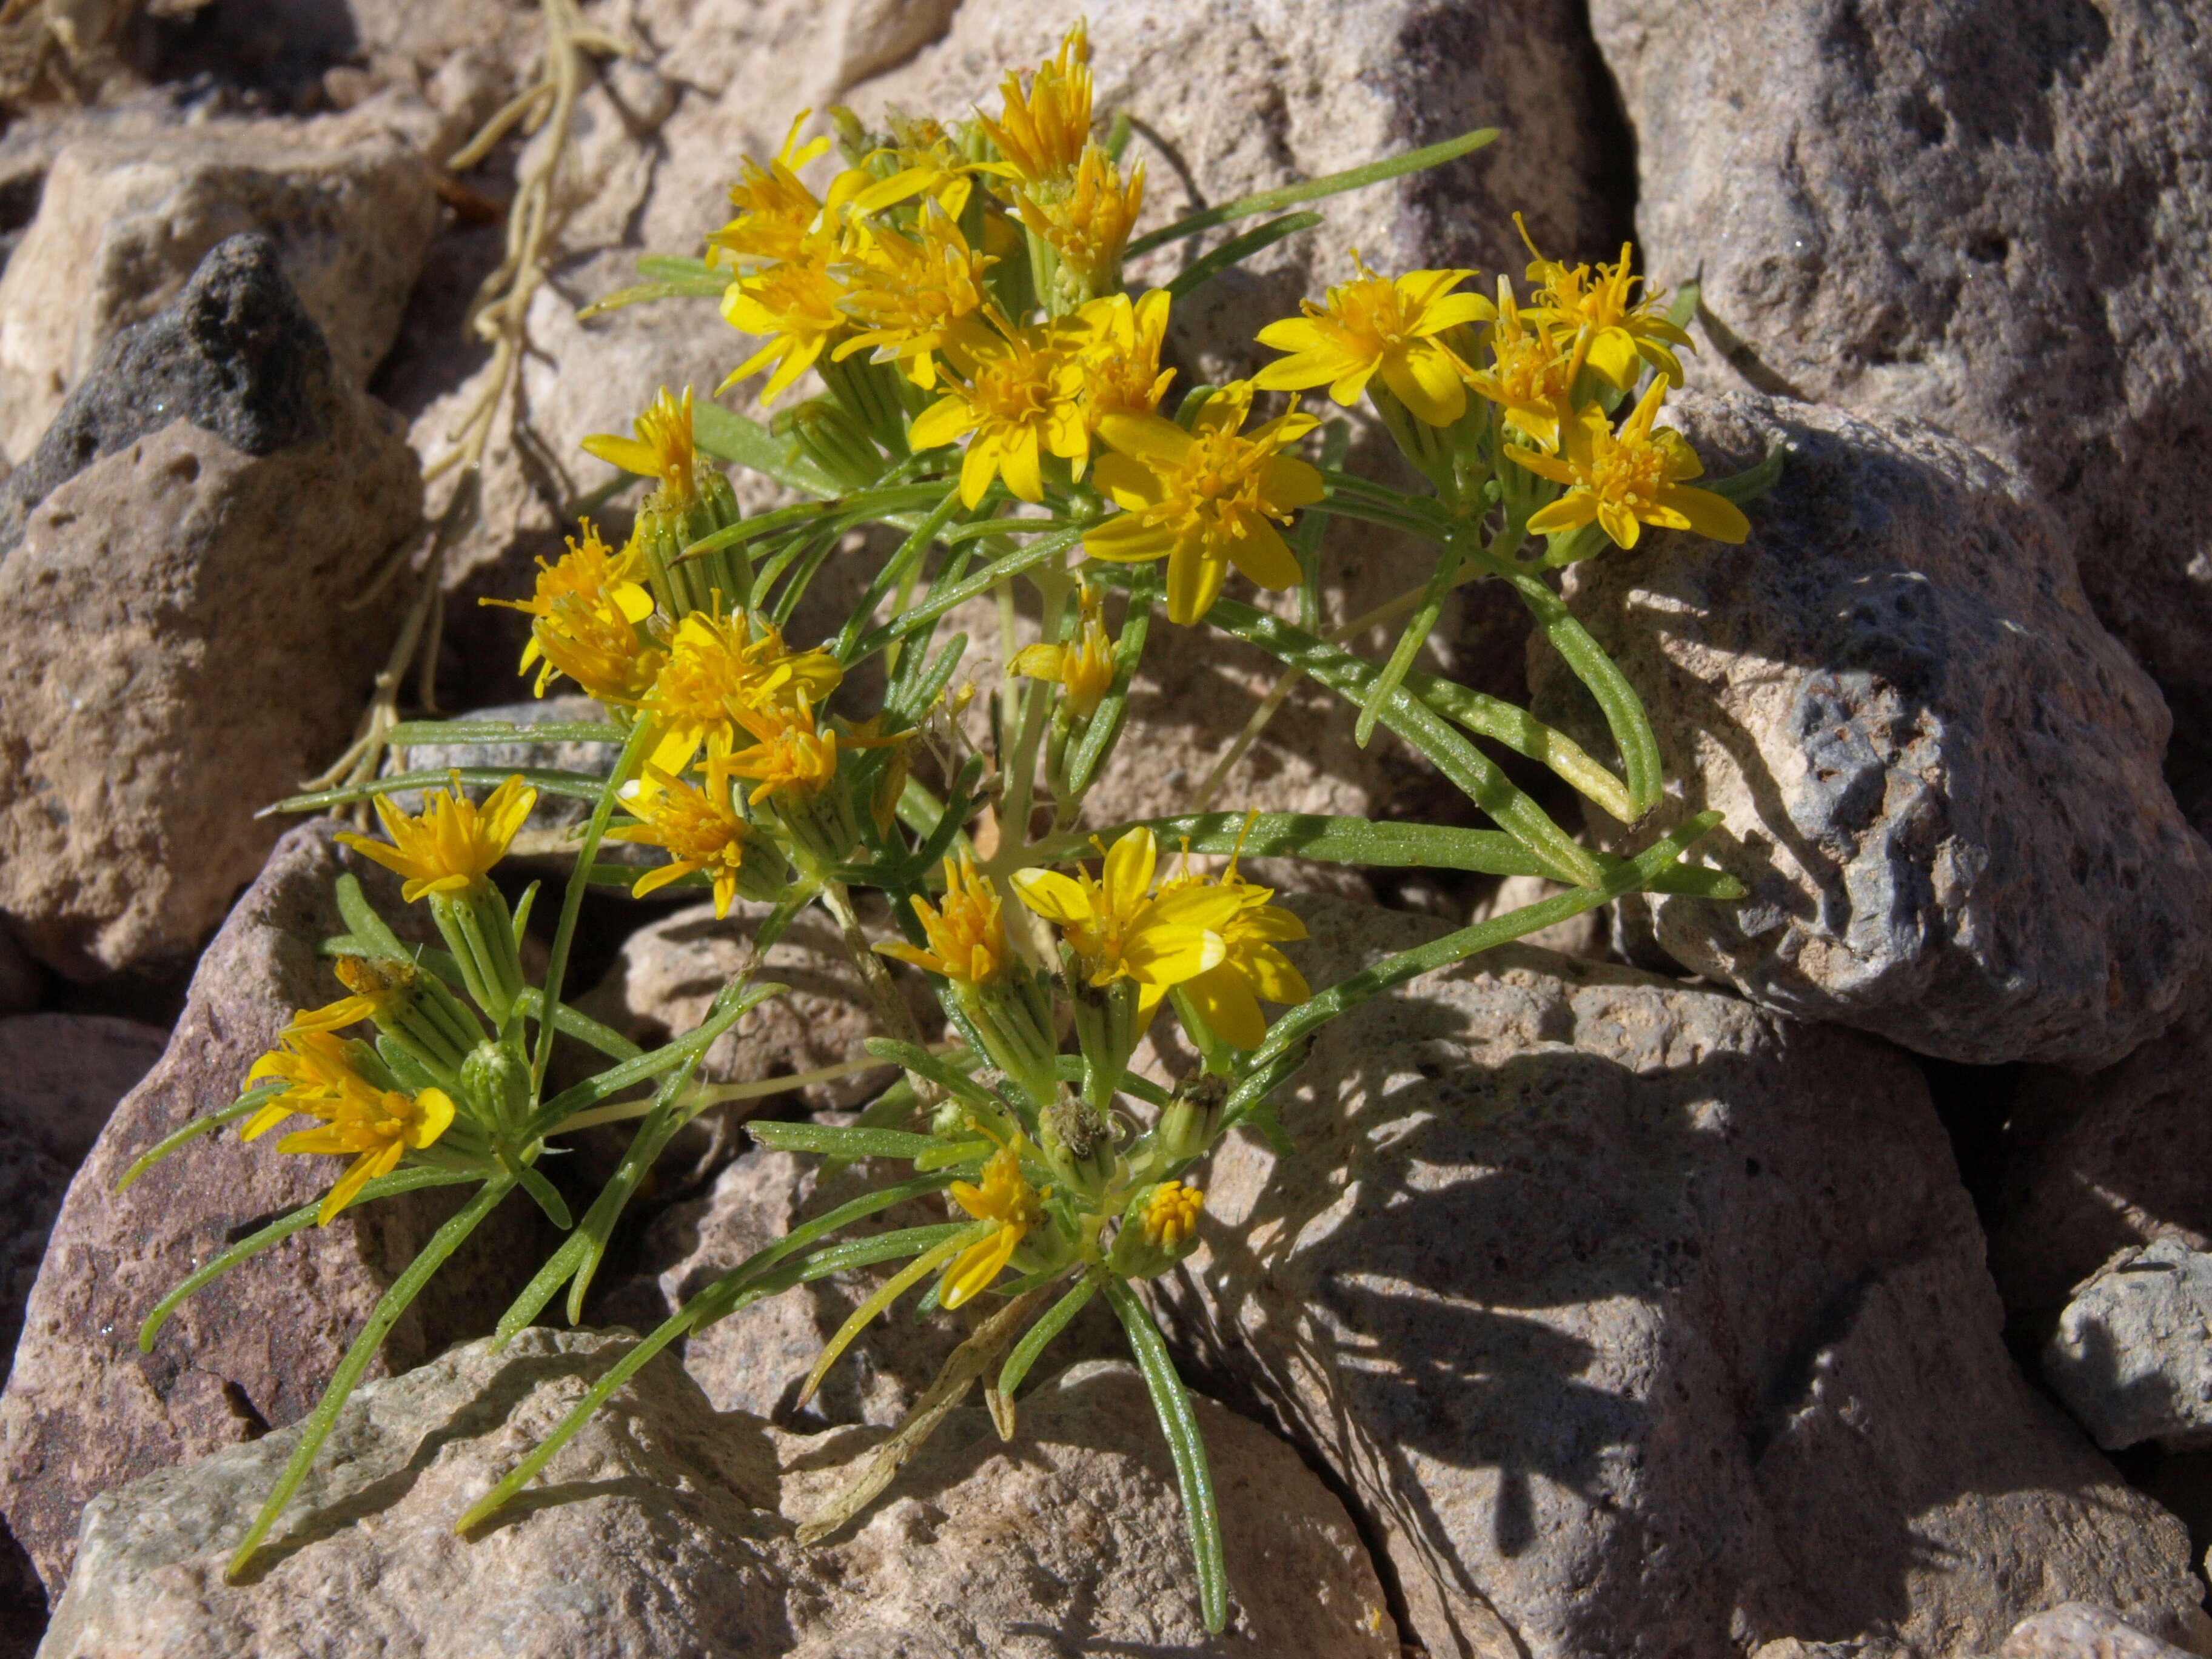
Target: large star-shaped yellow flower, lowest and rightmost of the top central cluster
[{"x": 1204, "y": 499}]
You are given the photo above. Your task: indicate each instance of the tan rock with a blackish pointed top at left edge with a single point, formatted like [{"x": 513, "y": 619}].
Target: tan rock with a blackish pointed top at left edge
[{"x": 194, "y": 656}]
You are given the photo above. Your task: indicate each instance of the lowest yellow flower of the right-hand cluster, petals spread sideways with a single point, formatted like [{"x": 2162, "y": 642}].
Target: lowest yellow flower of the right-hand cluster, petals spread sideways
[{"x": 1627, "y": 479}]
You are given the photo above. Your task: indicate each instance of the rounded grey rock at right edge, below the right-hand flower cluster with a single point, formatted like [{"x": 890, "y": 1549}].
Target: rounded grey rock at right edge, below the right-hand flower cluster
[{"x": 1939, "y": 773}]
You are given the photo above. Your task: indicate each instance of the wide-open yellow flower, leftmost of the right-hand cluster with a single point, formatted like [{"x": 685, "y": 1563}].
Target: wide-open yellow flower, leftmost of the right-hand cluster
[{"x": 1379, "y": 326}]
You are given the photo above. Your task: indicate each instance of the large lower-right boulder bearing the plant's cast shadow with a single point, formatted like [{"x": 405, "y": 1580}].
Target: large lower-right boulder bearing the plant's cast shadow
[{"x": 1638, "y": 1319}]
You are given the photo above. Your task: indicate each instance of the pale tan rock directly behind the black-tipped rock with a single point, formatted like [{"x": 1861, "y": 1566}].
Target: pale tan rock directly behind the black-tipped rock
[{"x": 125, "y": 222}]
